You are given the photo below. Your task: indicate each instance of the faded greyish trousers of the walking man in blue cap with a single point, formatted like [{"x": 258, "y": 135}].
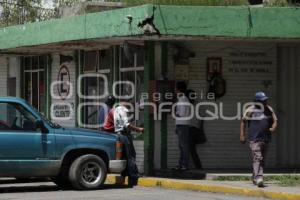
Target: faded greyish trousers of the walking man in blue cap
[{"x": 259, "y": 151}]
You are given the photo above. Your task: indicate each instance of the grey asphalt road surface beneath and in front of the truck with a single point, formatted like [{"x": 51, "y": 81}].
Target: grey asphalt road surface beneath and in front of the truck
[{"x": 10, "y": 190}]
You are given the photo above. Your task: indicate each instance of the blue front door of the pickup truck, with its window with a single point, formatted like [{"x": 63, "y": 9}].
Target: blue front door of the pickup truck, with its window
[{"x": 24, "y": 150}]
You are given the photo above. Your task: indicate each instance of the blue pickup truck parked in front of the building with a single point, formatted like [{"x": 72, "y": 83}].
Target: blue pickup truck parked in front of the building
[{"x": 32, "y": 146}]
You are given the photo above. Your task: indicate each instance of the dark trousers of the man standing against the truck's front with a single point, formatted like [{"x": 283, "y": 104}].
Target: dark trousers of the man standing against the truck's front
[{"x": 130, "y": 155}]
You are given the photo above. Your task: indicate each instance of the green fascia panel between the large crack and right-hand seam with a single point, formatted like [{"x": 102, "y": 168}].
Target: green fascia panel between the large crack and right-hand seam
[{"x": 202, "y": 21}]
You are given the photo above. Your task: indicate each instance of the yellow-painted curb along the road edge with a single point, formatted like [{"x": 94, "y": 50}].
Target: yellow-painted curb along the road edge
[{"x": 181, "y": 185}]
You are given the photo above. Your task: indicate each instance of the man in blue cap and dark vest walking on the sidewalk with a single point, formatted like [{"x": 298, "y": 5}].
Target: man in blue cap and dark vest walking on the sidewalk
[{"x": 261, "y": 121}]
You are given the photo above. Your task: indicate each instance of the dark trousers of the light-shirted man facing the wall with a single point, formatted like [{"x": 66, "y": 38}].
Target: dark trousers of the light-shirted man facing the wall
[{"x": 183, "y": 134}]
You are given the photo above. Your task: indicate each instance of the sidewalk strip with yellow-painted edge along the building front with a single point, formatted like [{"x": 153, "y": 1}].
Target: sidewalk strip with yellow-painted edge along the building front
[{"x": 231, "y": 187}]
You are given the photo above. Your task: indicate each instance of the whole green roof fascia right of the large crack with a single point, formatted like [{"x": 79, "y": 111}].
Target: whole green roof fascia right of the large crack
[{"x": 228, "y": 21}]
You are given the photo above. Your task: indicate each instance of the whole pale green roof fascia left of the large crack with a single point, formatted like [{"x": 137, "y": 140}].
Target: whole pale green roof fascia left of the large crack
[{"x": 95, "y": 25}]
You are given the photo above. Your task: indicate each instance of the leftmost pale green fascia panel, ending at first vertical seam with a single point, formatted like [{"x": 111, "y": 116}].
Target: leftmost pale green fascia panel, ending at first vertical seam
[{"x": 43, "y": 32}]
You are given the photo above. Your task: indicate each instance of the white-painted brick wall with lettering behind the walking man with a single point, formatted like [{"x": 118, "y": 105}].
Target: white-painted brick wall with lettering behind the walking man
[{"x": 223, "y": 149}]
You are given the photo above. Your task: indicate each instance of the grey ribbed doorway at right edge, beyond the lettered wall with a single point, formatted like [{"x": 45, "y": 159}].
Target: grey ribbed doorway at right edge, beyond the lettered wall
[{"x": 288, "y": 136}]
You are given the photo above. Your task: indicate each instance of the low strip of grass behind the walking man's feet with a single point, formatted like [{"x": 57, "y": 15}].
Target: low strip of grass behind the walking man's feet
[{"x": 284, "y": 180}]
